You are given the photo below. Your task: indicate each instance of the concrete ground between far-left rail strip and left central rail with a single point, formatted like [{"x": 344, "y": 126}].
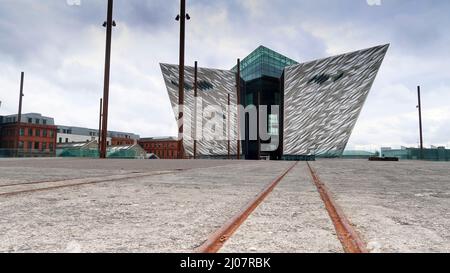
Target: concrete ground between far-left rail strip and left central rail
[{"x": 167, "y": 213}]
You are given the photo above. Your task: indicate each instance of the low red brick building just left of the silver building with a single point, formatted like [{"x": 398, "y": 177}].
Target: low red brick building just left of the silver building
[{"x": 164, "y": 148}]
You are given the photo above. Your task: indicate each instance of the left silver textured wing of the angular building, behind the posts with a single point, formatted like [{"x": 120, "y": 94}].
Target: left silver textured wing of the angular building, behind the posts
[{"x": 215, "y": 87}]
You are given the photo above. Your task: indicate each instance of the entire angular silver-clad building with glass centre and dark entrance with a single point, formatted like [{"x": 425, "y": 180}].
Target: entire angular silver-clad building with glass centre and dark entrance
[{"x": 310, "y": 108}]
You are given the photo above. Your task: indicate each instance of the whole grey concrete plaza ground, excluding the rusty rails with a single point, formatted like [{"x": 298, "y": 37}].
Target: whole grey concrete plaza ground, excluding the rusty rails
[{"x": 396, "y": 207}]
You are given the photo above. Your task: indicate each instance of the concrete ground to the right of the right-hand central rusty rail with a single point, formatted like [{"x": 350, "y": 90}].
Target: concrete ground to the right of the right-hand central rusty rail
[{"x": 395, "y": 206}]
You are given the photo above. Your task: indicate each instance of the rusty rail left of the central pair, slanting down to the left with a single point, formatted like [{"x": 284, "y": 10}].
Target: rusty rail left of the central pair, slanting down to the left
[{"x": 218, "y": 239}]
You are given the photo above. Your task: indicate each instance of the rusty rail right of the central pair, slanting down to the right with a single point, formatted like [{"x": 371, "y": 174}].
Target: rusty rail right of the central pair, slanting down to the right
[{"x": 350, "y": 240}]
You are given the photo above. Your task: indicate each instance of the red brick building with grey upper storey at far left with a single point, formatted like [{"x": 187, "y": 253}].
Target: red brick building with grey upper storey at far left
[{"x": 34, "y": 136}]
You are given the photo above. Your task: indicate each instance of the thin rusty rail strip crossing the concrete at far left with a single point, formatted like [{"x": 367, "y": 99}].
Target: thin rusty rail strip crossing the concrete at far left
[{"x": 24, "y": 188}]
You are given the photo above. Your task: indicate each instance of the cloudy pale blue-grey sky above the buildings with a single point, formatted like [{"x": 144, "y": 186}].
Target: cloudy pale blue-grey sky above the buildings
[{"x": 60, "y": 46}]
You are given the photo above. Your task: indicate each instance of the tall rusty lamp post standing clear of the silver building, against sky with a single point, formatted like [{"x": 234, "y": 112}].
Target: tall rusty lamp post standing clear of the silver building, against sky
[{"x": 109, "y": 24}]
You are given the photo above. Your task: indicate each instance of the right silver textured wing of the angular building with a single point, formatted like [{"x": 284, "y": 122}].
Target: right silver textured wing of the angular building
[{"x": 323, "y": 100}]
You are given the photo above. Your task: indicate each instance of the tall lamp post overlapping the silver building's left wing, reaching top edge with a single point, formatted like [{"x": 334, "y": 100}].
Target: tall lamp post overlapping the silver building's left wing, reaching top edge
[{"x": 182, "y": 19}]
